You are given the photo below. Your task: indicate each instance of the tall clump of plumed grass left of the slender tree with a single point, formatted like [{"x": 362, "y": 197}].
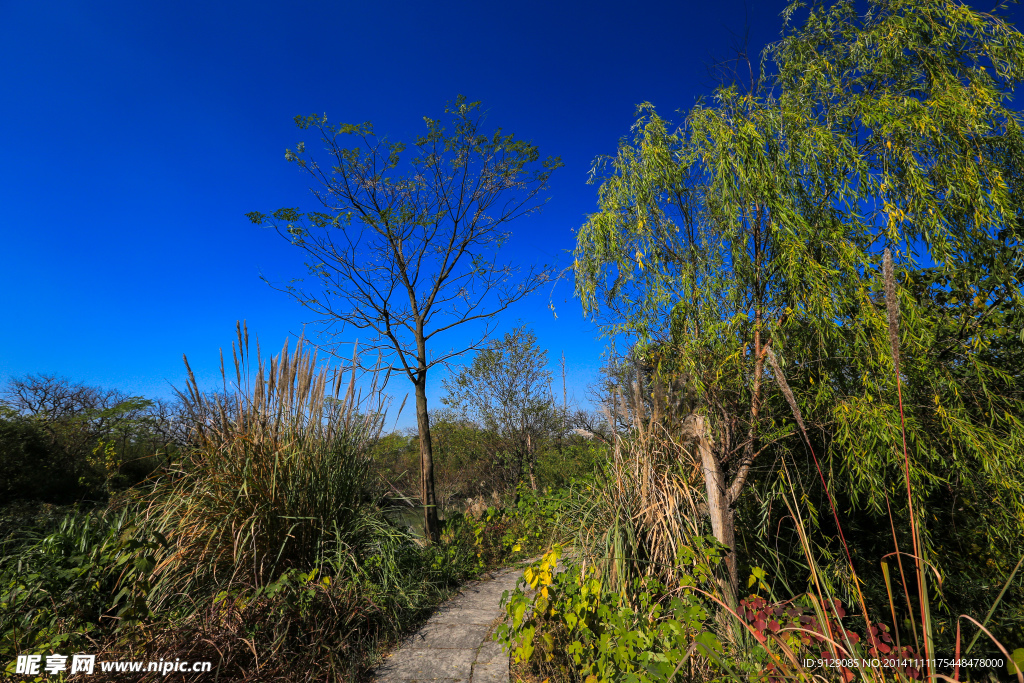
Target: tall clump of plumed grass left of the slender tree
[{"x": 279, "y": 478}]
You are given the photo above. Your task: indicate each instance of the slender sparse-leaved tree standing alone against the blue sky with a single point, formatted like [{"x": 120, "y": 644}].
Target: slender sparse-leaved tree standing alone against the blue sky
[{"x": 408, "y": 253}]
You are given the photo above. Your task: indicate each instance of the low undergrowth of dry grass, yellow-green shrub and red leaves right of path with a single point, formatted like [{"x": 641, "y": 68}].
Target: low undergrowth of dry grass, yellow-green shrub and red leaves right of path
[{"x": 643, "y": 599}]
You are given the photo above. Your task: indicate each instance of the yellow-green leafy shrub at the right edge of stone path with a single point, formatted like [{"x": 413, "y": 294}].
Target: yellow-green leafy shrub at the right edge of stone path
[{"x": 571, "y": 627}]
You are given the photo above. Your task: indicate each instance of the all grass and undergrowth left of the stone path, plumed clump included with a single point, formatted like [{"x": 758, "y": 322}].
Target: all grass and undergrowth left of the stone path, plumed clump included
[{"x": 264, "y": 550}]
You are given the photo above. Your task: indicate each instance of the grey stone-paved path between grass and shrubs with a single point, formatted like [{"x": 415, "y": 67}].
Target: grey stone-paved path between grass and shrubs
[{"x": 455, "y": 646}]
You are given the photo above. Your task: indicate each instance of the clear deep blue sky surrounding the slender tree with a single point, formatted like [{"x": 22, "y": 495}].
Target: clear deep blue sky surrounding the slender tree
[{"x": 137, "y": 136}]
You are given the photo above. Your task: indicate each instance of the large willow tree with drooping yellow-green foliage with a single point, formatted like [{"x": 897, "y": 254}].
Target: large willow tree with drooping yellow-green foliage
[{"x": 755, "y": 232}]
